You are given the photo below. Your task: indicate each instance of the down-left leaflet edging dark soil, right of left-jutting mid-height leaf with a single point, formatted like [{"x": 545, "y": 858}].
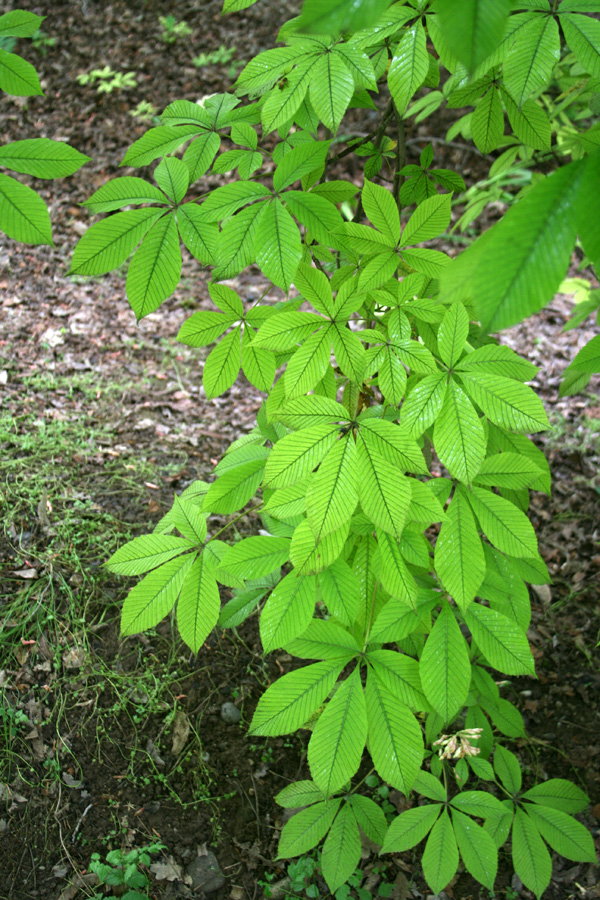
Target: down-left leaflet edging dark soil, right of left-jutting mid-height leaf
[{"x": 288, "y": 611}]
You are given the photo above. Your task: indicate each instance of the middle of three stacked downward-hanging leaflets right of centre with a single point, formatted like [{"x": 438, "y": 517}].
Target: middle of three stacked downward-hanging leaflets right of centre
[{"x": 459, "y": 557}]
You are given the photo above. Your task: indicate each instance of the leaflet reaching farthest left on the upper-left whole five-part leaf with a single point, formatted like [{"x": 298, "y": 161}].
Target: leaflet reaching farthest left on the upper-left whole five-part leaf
[{"x": 108, "y": 243}]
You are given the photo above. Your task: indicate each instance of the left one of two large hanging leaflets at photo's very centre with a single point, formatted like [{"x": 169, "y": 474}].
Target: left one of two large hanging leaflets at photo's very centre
[{"x": 333, "y": 495}]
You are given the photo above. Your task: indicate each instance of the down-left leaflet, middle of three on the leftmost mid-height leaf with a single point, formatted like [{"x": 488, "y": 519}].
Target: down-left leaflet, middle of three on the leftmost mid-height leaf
[{"x": 150, "y": 600}]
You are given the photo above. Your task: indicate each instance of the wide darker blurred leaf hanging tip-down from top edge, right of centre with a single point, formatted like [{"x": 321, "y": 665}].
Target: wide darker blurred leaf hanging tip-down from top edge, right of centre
[{"x": 472, "y": 29}]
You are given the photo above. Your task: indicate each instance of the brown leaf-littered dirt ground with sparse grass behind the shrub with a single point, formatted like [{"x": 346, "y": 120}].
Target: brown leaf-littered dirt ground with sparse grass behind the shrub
[{"x": 108, "y": 743}]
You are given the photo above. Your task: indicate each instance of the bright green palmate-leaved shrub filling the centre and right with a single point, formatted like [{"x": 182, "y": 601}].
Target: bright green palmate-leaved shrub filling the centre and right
[{"x": 390, "y": 464}]
